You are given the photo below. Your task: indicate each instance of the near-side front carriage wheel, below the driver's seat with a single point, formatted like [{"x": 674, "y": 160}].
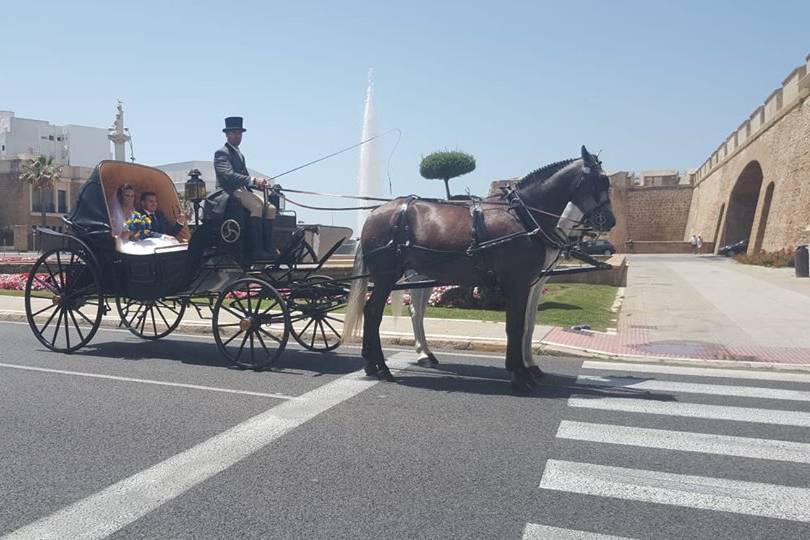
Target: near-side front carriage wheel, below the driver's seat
[{"x": 251, "y": 323}]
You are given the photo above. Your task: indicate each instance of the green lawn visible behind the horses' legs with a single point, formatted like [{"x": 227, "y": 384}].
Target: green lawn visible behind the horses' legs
[{"x": 566, "y": 304}]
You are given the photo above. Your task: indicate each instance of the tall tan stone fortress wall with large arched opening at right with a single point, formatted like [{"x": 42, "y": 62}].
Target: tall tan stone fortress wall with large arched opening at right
[{"x": 776, "y": 140}]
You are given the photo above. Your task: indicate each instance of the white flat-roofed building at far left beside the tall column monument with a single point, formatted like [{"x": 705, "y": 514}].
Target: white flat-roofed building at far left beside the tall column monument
[{"x": 79, "y": 146}]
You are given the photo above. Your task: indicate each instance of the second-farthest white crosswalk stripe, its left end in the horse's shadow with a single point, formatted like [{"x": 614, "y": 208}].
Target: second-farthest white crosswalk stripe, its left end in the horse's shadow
[{"x": 638, "y": 383}]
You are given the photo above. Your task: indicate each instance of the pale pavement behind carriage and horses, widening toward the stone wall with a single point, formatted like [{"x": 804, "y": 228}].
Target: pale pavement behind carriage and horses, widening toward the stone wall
[{"x": 675, "y": 307}]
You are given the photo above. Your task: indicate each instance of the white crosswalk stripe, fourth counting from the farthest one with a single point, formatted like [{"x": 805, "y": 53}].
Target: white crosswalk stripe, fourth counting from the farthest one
[{"x": 685, "y": 441}]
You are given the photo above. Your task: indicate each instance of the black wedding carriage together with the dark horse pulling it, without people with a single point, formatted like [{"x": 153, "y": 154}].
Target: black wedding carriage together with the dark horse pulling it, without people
[{"x": 513, "y": 239}]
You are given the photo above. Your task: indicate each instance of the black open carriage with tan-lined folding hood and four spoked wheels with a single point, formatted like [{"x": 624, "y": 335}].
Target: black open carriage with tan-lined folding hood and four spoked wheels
[{"x": 253, "y": 305}]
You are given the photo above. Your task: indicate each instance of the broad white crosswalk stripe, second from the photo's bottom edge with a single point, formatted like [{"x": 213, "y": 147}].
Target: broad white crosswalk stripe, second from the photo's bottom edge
[{"x": 751, "y": 498}]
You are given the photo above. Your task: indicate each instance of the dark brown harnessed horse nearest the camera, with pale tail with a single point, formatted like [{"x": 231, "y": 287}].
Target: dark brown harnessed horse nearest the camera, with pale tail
[{"x": 505, "y": 239}]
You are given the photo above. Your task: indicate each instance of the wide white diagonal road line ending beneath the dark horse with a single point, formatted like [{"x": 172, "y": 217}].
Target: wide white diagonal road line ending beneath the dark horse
[{"x": 109, "y": 510}]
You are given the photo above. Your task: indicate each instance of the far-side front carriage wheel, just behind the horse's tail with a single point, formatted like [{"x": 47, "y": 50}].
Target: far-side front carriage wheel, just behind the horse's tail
[{"x": 315, "y": 324}]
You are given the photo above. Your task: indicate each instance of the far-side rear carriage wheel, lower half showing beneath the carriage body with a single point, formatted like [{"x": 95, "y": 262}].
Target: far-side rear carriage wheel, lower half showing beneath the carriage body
[{"x": 150, "y": 319}]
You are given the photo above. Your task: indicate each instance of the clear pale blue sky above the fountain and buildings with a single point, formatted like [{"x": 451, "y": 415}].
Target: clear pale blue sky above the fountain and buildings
[{"x": 517, "y": 84}]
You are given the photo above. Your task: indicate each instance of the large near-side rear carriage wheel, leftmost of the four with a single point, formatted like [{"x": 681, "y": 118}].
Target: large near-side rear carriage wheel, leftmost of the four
[{"x": 64, "y": 301}]
